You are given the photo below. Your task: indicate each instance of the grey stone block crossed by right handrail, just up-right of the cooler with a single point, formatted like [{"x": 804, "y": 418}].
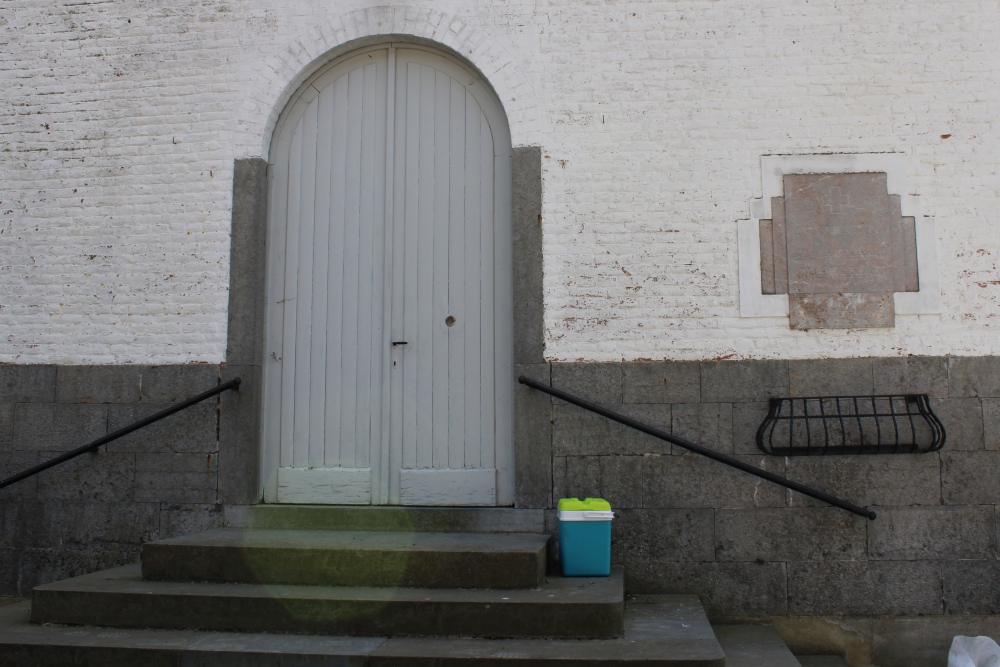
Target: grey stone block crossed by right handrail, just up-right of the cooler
[{"x": 695, "y": 481}]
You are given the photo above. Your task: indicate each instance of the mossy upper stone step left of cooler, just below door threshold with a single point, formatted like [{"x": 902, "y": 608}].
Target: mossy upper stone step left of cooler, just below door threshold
[{"x": 350, "y": 558}]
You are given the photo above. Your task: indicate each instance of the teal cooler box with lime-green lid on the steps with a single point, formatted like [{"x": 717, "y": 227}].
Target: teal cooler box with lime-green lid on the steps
[{"x": 585, "y": 537}]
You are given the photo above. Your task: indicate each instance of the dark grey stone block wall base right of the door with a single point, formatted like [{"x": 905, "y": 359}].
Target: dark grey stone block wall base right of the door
[{"x": 751, "y": 548}]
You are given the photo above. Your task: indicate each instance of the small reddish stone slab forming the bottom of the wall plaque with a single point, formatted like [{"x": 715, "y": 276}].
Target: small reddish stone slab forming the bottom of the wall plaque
[{"x": 844, "y": 310}]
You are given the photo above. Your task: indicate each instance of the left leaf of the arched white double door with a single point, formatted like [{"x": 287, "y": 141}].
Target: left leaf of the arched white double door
[{"x": 332, "y": 352}]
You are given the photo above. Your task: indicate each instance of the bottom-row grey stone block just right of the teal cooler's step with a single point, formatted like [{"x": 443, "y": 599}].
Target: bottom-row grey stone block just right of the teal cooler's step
[{"x": 726, "y": 589}]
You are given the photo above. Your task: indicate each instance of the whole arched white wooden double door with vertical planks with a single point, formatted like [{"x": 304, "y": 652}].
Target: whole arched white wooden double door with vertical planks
[{"x": 389, "y": 326}]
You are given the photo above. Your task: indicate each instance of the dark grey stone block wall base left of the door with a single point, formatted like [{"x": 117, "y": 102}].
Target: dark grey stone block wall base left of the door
[{"x": 95, "y": 511}]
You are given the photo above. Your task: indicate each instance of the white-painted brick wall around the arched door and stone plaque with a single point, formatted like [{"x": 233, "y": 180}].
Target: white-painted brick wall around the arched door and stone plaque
[{"x": 120, "y": 121}]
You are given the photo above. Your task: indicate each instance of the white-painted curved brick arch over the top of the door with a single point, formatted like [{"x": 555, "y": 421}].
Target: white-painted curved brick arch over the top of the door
[{"x": 269, "y": 87}]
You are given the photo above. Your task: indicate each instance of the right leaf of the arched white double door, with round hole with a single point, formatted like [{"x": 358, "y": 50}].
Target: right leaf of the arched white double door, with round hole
[{"x": 444, "y": 269}]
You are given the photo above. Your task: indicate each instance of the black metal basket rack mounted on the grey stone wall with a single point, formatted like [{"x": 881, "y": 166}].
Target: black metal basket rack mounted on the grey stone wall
[{"x": 850, "y": 425}]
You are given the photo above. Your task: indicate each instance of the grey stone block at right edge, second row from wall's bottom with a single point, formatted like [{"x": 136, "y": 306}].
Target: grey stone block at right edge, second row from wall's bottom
[{"x": 932, "y": 533}]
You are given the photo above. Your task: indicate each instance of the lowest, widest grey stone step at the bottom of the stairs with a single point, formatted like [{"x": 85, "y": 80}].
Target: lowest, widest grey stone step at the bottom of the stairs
[{"x": 660, "y": 631}]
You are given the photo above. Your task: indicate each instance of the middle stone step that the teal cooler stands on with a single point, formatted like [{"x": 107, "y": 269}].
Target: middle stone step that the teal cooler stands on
[{"x": 563, "y": 607}]
